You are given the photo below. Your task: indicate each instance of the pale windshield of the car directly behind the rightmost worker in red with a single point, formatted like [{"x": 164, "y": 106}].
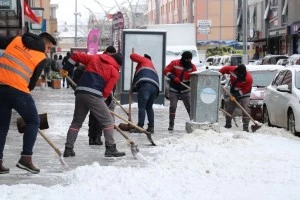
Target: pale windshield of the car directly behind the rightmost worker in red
[{"x": 263, "y": 78}]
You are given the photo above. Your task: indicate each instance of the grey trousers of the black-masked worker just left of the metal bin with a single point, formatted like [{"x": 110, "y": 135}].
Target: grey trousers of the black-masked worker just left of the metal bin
[{"x": 173, "y": 97}]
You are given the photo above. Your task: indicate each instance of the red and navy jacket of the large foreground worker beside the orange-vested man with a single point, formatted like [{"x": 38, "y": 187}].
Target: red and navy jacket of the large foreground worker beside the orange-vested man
[{"x": 100, "y": 75}]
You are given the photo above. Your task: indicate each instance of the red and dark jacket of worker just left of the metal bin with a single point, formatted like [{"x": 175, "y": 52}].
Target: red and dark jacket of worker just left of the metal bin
[{"x": 175, "y": 69}]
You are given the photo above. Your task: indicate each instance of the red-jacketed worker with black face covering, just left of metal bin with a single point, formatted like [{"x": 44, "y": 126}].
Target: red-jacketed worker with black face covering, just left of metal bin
[{"x": 178, "y": 71}]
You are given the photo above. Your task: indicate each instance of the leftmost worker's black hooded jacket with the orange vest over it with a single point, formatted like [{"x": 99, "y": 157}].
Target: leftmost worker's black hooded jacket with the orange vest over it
[{"x": 34, "y": 59}]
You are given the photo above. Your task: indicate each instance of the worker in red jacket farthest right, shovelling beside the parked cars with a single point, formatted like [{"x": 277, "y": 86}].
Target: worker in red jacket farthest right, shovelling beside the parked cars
[{"x": 240, "y": 89}]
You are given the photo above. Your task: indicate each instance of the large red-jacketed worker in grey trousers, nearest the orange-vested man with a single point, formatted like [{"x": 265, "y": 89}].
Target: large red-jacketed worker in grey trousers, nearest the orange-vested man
[{"x": 95, "y": 85}]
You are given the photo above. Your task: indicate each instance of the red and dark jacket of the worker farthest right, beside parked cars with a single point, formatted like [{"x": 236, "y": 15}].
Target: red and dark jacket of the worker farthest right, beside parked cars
[{"x": 245, "y": 87}]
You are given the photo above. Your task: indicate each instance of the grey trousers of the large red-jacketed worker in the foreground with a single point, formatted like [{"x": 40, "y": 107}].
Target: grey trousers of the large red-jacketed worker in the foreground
[{"x": 96, "y": 105}]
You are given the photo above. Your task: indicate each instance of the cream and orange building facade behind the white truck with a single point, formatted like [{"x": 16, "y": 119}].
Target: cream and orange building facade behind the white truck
[{"x": 219, "y": 14}]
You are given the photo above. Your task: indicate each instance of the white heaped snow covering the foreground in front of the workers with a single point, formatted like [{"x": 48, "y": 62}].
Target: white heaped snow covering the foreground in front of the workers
[{"x": 202, "y": 165}]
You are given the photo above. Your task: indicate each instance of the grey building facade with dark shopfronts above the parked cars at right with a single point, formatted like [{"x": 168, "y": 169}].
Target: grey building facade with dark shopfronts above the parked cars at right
[{"x": 272, "y": 26}]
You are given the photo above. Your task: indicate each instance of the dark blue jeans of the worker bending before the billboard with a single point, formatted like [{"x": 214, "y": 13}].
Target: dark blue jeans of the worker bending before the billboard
[{"x": 147, "y": 93}]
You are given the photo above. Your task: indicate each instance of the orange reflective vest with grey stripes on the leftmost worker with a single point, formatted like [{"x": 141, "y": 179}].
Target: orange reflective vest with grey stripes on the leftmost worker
[{"x": 17, "y": 64}]
